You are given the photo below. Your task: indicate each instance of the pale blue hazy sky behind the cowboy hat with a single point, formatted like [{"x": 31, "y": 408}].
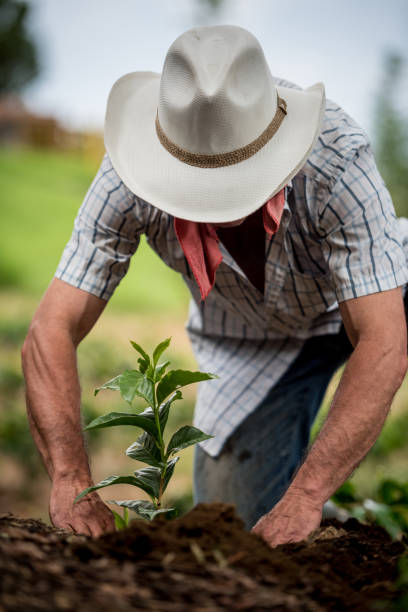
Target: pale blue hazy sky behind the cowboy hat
[{"x": 87, "y": 44}]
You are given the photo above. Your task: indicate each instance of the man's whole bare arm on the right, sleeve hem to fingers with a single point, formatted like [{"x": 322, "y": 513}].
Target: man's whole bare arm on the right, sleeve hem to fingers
[{"x": 377, "y": 328}]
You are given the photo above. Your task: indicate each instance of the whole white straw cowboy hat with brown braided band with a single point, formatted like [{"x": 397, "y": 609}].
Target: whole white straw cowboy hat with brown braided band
[{"x": 213, "y": 138}]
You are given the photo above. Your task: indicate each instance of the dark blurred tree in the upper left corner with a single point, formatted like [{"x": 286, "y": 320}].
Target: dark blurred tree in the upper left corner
[{"x": 18, "y": 53}]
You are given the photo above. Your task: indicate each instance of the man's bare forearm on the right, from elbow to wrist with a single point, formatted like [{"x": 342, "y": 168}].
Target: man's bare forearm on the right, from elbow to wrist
[{"x": 356, "y": 417}]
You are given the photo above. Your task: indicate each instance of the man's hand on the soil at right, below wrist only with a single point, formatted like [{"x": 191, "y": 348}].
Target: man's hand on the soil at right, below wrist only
[{"x": 293, "y": 519}]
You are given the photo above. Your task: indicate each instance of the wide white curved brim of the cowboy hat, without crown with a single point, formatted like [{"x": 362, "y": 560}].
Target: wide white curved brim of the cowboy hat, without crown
[{"x": 212, "y": 195}]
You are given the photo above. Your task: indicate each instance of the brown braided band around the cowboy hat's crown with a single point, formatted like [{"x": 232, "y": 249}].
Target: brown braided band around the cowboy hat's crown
[{"x": 224, "y": 159}]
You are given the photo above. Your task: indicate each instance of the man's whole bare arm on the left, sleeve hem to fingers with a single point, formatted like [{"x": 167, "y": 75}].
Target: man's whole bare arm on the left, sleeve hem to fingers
[{"x": 64, "y": 317}]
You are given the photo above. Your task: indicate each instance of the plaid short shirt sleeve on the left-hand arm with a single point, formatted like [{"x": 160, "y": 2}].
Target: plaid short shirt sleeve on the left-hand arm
[{"x": 106, "y": 234}]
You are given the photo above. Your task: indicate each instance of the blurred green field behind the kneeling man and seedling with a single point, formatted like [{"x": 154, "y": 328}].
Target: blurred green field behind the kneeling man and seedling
[{"x": 41, "y": 192}]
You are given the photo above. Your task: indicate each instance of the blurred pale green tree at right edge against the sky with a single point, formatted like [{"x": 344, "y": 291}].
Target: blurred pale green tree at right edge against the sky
[{"x": 391, "y": 133}]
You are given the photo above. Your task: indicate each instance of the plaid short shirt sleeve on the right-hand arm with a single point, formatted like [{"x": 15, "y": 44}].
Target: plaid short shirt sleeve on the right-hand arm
[{"x": 362, "y": 241}]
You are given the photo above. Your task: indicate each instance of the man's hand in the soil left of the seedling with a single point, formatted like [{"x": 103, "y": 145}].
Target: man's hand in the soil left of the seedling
[{"x": 89, "y": 516}]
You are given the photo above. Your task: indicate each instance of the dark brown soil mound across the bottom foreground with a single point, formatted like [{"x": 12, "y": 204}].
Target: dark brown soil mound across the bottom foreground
[{"x": 204, "y": 561}]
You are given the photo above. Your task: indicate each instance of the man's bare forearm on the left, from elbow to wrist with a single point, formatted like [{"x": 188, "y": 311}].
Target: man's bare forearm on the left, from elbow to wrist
[{"x": 53, "y": 402}]
